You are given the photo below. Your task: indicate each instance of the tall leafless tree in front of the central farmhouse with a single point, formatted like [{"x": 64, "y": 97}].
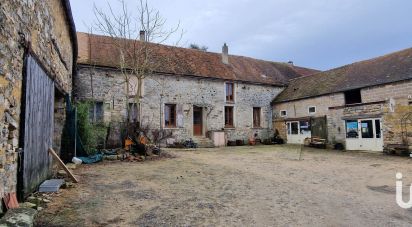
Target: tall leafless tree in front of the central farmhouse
[{"x": 133, "y": 37}]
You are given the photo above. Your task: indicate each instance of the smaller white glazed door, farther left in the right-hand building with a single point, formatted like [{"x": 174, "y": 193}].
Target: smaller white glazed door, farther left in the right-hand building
[{"x": 298, "y": 131}]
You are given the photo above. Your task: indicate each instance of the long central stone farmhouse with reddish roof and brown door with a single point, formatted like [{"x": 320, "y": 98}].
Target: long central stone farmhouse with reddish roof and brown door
[{"x": 191, "y": 93}]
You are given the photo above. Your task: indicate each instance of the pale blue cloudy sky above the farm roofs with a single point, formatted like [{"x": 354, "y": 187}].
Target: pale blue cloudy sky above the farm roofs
[{"x": 319, "y": 34}]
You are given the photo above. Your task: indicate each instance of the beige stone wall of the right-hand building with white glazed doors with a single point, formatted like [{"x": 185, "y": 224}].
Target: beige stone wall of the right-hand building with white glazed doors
[{"x": 393, "y": 102}]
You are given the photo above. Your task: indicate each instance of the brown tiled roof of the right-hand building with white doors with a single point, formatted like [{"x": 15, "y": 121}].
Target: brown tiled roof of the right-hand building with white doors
[{"x": 381, "y": 70}]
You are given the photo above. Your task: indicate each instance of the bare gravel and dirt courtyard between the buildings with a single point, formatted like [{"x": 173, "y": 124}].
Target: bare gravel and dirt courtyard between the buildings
[{"x": 237, "y": 186}]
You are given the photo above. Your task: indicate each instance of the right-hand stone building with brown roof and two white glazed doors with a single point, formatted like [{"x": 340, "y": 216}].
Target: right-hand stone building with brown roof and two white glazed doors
[{"x": 366, "y": 105}]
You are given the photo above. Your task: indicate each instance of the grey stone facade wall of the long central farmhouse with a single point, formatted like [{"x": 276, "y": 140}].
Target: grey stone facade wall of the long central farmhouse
[{"x": 185, "y": 92}]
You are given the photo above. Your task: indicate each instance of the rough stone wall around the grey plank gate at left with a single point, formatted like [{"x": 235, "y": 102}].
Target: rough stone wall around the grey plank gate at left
[{"x": 44, "y": 25}]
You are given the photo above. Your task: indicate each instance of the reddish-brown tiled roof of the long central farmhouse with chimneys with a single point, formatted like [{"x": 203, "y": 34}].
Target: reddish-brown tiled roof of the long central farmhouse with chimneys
[{"x": 100, "y": 51}]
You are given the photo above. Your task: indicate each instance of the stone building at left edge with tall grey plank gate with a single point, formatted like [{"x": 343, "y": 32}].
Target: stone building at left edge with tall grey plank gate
[{"x": 38, "y": 50}]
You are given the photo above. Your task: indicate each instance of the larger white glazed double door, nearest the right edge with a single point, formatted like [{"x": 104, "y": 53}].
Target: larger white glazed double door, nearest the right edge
[{"x": 364, "y": 135}]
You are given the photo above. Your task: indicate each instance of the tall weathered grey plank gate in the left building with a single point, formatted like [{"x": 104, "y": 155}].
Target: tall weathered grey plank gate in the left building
[{"x": 37, "y": 131}]
